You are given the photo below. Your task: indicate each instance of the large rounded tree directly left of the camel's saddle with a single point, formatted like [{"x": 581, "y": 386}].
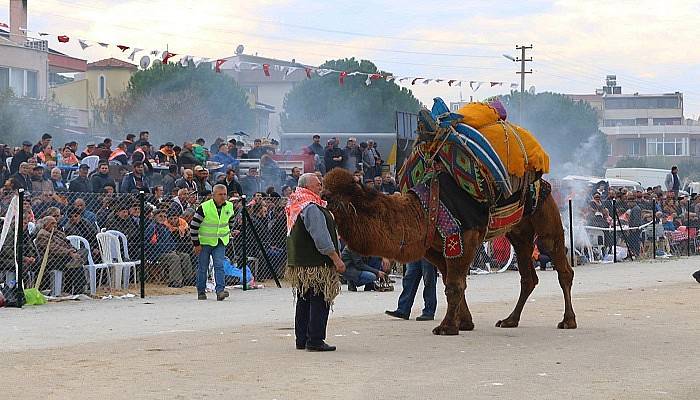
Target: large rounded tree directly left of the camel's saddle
[{"x": 321, "y": 104}]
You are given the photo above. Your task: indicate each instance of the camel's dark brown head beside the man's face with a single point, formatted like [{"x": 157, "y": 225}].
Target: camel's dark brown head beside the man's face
[{"x": 344, "y": 194}]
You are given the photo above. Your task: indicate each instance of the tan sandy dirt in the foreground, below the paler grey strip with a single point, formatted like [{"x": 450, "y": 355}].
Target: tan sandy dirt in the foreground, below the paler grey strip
[{"x": 632, "y": 343}]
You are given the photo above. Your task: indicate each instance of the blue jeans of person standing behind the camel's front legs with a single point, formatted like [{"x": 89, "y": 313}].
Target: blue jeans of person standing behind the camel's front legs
[{"x": 411, "y": 281}]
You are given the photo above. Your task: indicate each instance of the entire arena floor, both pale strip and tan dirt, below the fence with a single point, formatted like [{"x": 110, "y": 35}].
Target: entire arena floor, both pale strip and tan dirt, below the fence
[{"x": 638, "y": 338}]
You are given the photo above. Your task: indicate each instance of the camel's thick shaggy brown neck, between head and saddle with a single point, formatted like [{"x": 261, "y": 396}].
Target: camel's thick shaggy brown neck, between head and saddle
[{"x": 394, "y": 227}]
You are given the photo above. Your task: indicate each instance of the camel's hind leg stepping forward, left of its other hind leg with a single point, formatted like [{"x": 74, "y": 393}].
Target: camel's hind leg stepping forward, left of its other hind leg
[{"x": 522, "y": 237}]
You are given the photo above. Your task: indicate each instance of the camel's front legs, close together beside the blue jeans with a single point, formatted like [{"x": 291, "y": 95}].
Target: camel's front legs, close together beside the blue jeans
[{"x": 455, "y": 279}]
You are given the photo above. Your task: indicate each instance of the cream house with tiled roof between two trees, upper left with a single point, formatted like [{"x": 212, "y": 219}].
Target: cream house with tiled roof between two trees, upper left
[{"x": 102, "y": 79}]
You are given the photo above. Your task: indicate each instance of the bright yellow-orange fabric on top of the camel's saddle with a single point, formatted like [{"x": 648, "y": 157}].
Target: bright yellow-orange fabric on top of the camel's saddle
[{"x": 503, "y": 136}]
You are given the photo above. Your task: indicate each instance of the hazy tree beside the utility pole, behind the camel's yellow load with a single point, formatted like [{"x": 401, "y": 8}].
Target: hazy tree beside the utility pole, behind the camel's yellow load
[{"x": 567, "y": 129}]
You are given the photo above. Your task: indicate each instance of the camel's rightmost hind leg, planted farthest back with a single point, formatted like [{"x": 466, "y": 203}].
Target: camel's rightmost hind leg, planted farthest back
[{"x": 547, "y": 225}]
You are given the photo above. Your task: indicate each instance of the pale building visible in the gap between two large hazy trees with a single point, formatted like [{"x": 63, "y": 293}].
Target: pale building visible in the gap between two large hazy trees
[{"x": 265, "y": 93}]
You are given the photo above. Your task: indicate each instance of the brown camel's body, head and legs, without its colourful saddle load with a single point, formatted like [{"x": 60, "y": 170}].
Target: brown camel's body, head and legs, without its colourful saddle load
[{"x": 397, "y": 227}]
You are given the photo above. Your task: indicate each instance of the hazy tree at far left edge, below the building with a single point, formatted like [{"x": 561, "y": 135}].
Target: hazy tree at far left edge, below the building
[{"x": 27, "y": 119}]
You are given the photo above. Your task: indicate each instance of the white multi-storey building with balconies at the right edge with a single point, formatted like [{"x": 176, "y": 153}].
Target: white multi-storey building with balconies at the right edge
[{"x": 643, "y": 125}]
